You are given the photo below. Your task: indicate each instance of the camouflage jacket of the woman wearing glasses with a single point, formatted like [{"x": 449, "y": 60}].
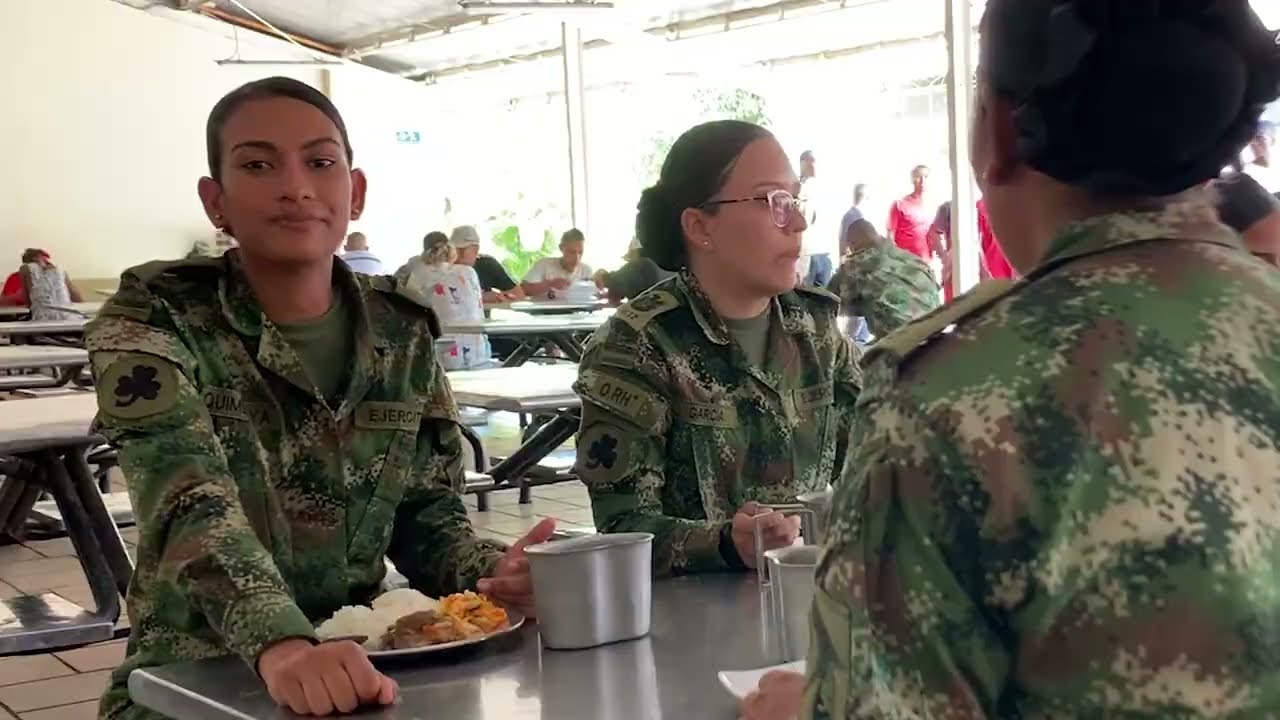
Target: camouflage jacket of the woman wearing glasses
[{"x": 679, "y": 430}]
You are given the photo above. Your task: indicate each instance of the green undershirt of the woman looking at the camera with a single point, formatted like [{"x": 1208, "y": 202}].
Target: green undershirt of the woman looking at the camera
[{"x": 326, "y": 345}]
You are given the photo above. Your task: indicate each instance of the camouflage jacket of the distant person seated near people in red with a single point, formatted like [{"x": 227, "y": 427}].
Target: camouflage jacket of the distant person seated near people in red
[{"x": 886, "y": 285}]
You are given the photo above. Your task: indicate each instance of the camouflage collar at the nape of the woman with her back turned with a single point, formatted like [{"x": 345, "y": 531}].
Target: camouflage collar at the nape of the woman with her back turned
[{"x": 1194, "y": 221}]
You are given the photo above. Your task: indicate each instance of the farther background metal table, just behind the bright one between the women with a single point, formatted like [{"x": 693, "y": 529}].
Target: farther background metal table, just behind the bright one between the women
[{"x": 533, "y": 332}]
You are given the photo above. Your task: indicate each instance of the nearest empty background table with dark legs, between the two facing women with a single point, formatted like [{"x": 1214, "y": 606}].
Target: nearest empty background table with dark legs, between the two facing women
[{"x": 532, "y": 389}]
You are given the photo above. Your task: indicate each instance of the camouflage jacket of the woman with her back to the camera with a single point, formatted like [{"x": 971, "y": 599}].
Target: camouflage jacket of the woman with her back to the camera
[{"x": 1068, "y": 505}]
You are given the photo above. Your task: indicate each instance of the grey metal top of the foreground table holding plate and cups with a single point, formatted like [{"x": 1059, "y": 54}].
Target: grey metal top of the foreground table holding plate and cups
[{"x": 701, "y": 626}]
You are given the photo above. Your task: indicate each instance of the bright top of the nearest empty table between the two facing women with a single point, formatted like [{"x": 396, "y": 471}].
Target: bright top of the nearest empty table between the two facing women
[{"x": 527, "y": 389}]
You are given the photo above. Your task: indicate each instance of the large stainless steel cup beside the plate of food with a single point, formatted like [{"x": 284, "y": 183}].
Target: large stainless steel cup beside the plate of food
[{"x": 592, "y": 591}]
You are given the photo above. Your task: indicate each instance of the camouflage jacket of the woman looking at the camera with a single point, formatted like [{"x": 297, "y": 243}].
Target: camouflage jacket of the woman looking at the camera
[{"x": 260, "y": 509}]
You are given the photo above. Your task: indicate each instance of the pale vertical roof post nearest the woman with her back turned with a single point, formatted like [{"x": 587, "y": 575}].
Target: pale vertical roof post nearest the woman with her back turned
[{"x": 966, "y": 247}]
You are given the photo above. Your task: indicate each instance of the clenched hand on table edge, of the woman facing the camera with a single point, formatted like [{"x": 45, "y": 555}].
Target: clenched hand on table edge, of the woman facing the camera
[{"x": 323, "y": 680}]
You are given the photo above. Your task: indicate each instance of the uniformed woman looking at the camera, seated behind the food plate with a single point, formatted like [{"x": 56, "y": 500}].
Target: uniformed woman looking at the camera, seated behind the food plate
[{"x": 285, "y": 425}]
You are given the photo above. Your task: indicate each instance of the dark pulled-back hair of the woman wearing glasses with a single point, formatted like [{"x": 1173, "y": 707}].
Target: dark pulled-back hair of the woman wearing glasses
[{"x": 696, "y": 170}]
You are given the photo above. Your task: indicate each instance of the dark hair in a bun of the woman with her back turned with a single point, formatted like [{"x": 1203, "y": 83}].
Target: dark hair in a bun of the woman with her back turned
[{"x": 1133, "y": 98}]
